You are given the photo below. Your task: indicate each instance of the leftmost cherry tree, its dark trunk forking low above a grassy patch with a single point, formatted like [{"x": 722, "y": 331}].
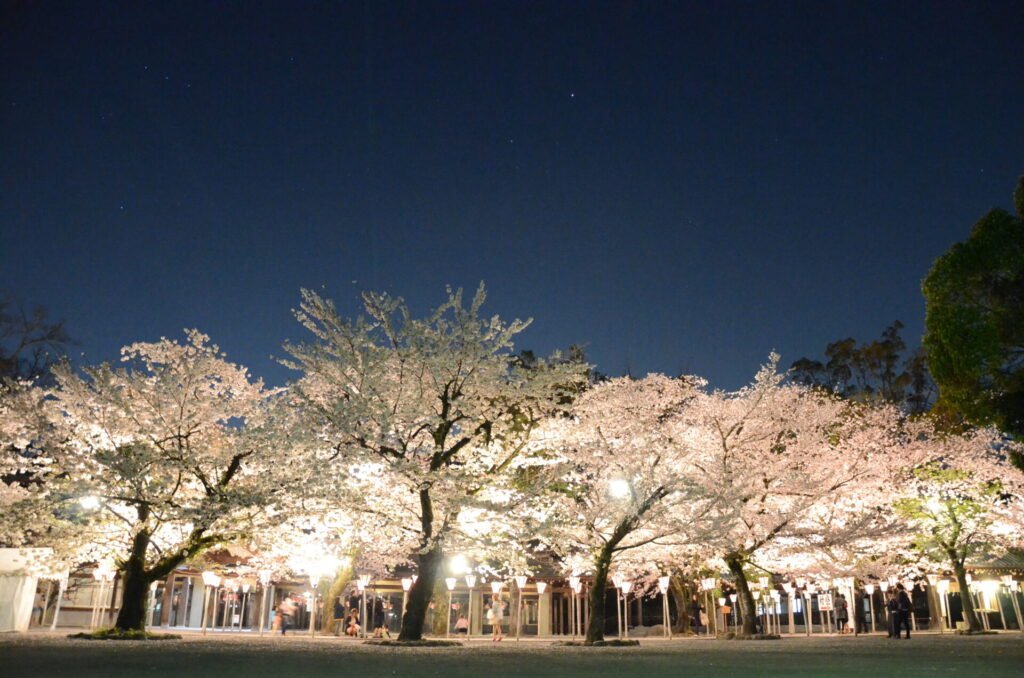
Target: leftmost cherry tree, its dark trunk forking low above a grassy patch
[{"x": 173, "y": 454}]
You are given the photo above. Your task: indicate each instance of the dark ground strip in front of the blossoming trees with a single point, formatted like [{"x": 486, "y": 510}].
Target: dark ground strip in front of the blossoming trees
[{"x": 45, "y": 656}]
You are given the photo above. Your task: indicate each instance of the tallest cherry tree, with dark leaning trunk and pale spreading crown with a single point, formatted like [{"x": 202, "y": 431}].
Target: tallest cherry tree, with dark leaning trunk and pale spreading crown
[{"x": 433, "y": 413}]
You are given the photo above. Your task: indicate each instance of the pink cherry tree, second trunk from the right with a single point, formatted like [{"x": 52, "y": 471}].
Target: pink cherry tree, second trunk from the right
[{"x": 799, "y": 470}]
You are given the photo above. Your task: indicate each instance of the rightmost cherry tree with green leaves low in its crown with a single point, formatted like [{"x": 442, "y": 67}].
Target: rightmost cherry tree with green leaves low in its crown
[{"x": 962, "y": 499}]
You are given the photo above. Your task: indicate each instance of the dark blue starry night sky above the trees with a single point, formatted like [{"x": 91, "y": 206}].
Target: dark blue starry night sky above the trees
[{"x": 676, "y": 186}]
